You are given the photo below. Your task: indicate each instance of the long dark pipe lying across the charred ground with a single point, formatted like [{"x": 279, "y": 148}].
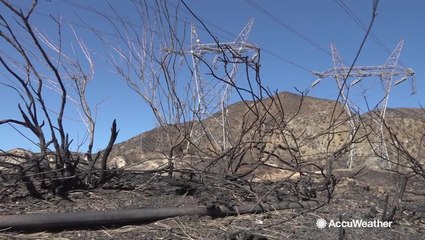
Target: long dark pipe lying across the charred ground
[{"x": 49, "y": 221}]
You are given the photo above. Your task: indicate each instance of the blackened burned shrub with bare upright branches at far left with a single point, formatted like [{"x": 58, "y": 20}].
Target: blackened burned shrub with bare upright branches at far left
[{"x": 46, "y": 78}]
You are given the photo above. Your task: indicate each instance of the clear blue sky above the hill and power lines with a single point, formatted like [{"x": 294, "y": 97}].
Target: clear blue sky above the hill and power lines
[{"x": 318, "y": 22}]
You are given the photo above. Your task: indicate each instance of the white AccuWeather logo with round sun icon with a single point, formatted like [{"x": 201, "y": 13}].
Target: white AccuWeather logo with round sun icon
[{"x": 354, "y": 223}]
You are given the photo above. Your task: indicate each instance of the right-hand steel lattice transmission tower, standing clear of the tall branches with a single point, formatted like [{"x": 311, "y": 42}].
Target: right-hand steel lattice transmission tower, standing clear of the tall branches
[{"x": 385, "y": 73}]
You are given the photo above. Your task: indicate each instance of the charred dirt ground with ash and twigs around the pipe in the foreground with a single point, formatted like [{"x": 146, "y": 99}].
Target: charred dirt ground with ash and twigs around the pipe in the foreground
[{"x": 361, "y": 197}]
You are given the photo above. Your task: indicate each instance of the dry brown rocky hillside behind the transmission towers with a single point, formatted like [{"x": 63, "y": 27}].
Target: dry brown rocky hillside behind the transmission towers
[{"x": 316, "y": 127}]
